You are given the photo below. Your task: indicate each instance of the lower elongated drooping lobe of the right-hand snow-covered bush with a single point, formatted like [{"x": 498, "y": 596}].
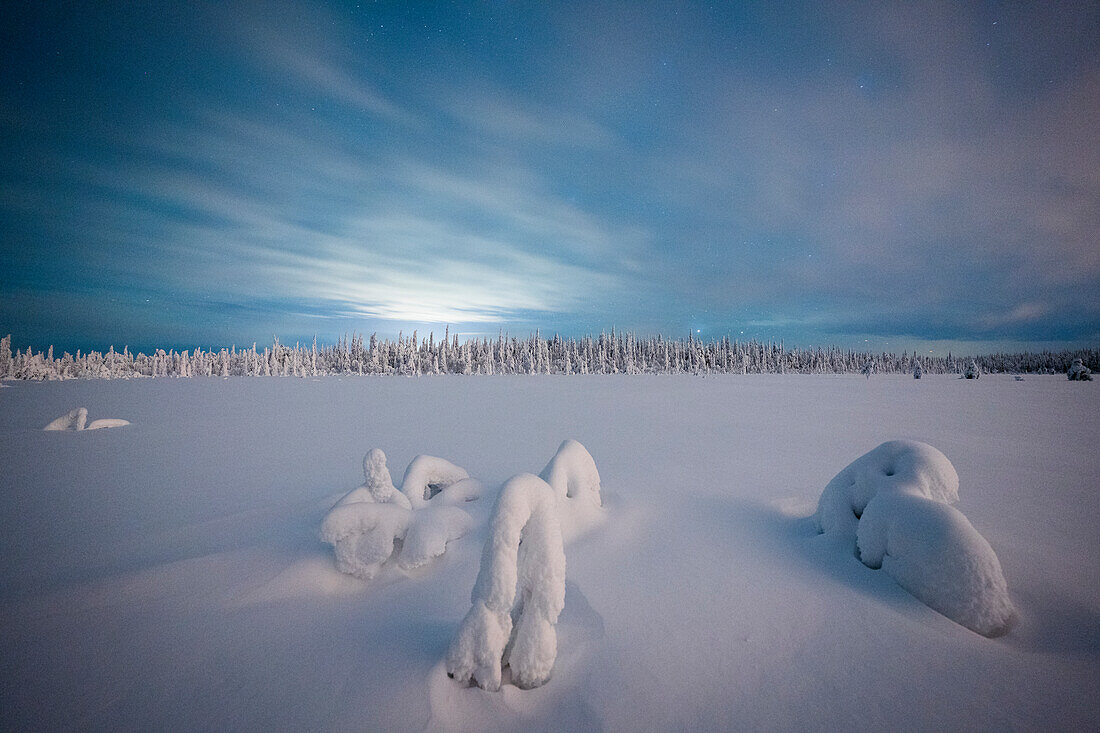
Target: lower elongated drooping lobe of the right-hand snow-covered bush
[{"x": 936, "y": 554}]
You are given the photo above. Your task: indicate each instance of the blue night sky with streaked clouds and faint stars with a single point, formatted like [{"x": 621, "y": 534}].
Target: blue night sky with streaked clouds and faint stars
[{"x": 885, "y": 176}]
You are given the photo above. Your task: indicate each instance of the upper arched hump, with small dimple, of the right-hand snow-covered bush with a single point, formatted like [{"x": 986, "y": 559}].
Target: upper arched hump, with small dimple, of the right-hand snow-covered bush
[{"x": 897, "y": 465}]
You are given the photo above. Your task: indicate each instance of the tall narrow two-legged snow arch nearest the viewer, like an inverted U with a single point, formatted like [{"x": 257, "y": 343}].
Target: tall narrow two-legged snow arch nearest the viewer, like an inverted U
[{"x": 520, "y": 593}]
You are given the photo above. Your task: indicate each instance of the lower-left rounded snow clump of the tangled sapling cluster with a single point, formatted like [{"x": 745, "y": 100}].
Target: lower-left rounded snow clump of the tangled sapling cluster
[{"x": 365, "y": 535}]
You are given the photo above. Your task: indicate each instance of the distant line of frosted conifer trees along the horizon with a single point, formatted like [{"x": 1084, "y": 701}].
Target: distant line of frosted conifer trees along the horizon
[{"x": 608, "y": 354}]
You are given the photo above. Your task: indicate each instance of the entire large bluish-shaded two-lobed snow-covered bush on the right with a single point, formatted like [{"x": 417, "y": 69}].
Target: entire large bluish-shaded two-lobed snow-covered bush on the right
[{"x": 895, "y": 502}]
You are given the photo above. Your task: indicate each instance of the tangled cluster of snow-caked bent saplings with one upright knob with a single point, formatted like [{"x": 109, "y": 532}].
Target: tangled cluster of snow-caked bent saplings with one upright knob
[{"x": 373, "y": 522}]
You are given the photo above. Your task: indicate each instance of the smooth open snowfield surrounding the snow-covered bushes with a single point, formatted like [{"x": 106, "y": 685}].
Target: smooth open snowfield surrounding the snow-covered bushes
[{"x": 169, "y": 575}]
